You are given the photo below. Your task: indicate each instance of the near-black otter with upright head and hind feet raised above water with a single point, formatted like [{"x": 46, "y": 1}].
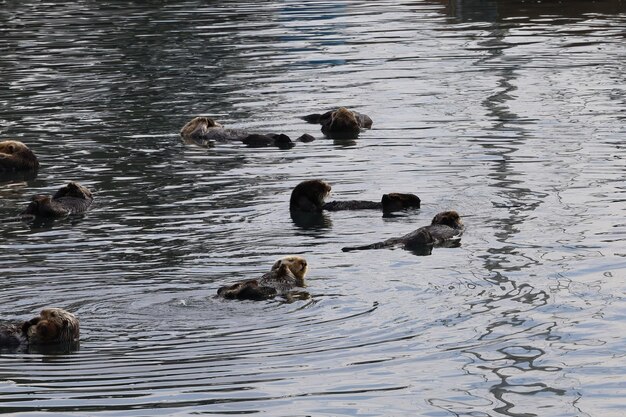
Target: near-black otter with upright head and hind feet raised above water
[{"x": 308, "y": 196}]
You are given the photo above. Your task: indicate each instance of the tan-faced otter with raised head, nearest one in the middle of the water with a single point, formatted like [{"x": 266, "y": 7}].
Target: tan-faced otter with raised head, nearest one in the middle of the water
[{"x": 286, "y": 274}]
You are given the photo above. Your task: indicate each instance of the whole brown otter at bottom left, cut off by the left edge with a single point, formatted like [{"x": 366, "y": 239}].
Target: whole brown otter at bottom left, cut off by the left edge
[{"x": 52, "y": 326}]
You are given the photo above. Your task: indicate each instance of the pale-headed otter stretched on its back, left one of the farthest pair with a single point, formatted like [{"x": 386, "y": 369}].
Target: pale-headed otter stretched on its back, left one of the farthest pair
[{"x": 206, "y": 131}]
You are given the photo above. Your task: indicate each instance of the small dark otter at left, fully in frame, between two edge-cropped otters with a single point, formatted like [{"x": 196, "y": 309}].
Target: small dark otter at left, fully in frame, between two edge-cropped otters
[{"x": 70, "y": 199}]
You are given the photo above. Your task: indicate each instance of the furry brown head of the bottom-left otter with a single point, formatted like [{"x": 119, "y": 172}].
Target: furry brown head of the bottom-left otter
[{"x": 54, "y": 325}]
